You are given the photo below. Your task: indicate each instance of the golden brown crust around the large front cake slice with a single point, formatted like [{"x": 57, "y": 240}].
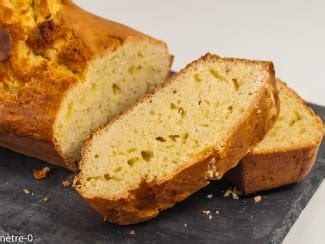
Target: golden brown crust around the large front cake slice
[{"x": 149, "y": 199}]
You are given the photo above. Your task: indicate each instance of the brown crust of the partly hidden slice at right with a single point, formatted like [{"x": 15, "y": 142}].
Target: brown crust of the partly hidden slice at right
[{"x": 265, "y": 170}]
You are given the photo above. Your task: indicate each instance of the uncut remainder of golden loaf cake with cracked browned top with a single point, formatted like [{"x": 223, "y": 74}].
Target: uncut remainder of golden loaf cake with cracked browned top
[{"x": 65, "y": 72}]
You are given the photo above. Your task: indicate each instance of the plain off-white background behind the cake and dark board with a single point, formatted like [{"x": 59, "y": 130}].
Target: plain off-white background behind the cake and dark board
[{"x": 291, "y": 33}]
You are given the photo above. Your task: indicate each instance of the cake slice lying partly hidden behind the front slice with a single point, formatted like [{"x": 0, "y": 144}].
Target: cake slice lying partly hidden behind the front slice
[{"x": 288, "y": 151}]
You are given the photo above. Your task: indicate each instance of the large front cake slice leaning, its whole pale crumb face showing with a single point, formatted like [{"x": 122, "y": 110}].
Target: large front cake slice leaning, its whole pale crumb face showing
[{"x": 195, "y": 127}]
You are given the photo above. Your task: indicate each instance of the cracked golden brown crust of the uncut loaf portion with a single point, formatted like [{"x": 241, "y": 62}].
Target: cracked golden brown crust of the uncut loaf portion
[{"x": 41, "y": 58}]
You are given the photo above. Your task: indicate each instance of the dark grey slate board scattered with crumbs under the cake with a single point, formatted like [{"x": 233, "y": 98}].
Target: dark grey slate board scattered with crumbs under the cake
[{"x": 66, "y": 218}]
